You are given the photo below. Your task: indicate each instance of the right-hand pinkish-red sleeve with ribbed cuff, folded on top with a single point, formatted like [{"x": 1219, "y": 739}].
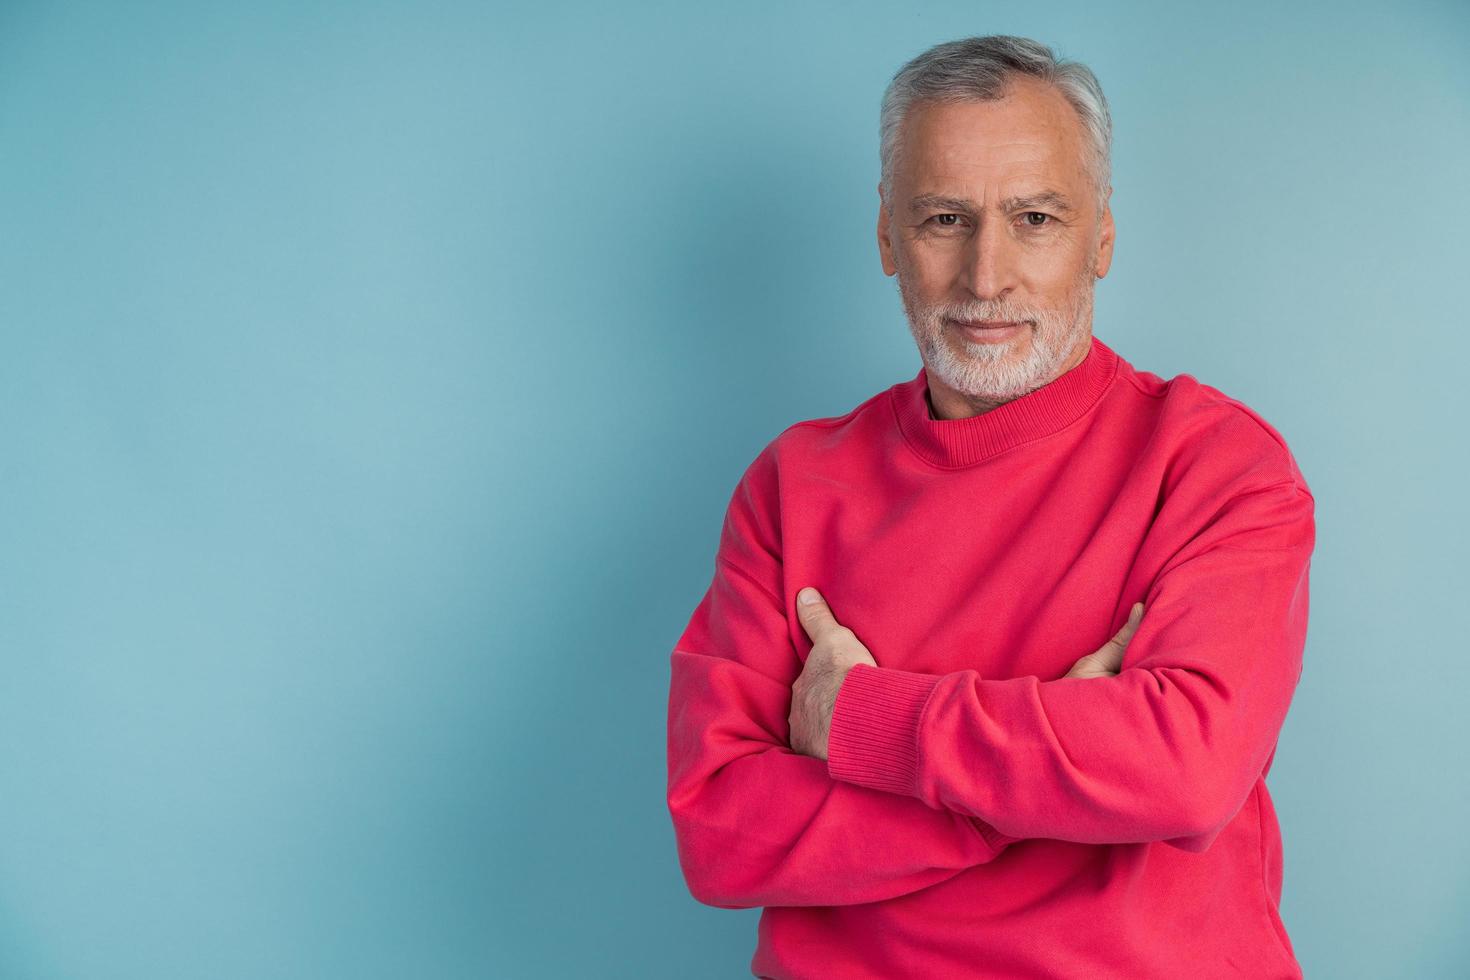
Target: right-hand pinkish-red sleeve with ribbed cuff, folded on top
[{"x": 1168, "y": 750}]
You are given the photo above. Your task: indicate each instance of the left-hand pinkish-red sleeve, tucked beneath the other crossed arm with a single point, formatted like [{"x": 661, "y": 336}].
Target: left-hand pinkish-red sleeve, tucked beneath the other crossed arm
[{"x": 758, "y": 824}]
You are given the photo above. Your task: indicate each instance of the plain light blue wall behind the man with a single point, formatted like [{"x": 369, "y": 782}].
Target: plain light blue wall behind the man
[{"x": 376, "y": 377}]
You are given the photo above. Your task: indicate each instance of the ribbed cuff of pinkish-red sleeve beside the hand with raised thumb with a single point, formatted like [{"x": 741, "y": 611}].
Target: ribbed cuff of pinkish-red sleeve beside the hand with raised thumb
[{"x": 874, "y": 740}]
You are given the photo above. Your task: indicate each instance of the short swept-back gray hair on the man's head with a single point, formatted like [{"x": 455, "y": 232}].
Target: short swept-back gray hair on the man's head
[{"x": 980, "y": 70}]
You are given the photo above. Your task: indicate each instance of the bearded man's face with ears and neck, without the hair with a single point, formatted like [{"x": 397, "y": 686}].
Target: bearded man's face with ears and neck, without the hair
[{"x": 996, "y": 220}]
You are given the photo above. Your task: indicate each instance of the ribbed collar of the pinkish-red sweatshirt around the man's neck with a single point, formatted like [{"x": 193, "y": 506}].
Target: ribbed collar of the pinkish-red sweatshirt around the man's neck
[{"x": 955, "y": 443}]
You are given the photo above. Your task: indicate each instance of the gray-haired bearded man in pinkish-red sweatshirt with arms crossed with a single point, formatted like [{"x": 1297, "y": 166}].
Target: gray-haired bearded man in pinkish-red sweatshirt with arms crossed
[{"x": 880, "y": 724}]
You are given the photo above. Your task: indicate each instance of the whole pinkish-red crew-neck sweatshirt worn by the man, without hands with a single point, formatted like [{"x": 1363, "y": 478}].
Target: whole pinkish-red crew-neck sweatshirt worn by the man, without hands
[{"x": 981, "y": 815}]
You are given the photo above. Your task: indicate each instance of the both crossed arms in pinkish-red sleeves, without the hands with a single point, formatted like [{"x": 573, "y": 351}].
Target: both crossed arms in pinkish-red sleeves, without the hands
[{"x": 930, "y": 775}]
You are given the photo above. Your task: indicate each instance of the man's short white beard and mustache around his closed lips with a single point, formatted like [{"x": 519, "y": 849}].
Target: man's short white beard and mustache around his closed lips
[{"x": 996, "y": 372}]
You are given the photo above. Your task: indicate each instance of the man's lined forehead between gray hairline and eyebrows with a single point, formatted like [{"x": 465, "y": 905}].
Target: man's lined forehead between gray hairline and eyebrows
[{"x": 1030, "y": 134}]
